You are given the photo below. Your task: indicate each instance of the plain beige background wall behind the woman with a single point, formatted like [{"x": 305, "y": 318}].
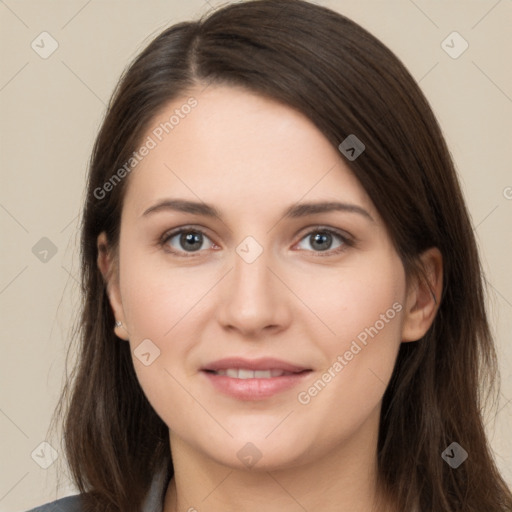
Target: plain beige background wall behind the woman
[{"x": 51, "y": 110}]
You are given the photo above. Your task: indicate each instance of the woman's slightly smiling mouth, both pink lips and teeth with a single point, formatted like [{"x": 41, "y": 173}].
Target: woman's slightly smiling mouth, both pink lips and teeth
[{"x": 244, "y": 379}]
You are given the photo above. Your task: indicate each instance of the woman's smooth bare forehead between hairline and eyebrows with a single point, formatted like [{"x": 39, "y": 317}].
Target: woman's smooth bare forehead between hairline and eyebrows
[{"x": 241, "y": 151}]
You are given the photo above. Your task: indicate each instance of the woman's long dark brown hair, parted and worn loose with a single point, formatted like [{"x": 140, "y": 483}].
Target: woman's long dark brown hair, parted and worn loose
[{"x": 346, "y": 82}]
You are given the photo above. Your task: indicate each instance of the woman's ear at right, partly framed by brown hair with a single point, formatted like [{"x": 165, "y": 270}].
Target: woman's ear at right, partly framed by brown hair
[{"x": 423, "y": 296}]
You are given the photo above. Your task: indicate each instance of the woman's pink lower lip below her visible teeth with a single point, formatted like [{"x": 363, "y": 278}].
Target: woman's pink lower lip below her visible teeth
[{"x": 254, "y": 389}]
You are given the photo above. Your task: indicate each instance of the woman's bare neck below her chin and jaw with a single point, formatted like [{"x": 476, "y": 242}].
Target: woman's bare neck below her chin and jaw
[{"x": 343, "y": 480}]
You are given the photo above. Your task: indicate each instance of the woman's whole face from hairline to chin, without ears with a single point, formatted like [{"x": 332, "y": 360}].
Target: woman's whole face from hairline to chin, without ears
[{"x": 270, "y": 322}]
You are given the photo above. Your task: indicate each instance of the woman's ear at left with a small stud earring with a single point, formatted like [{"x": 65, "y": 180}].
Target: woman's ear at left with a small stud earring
[{"x": 107, "y": 266}]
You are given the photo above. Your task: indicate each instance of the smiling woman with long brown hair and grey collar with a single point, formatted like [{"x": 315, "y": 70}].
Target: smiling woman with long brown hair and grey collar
[{"x": 323, "y": 345}]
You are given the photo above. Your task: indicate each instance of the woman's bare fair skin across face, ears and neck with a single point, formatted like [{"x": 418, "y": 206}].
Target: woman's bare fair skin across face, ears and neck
[{"x": 251, "y": 157}]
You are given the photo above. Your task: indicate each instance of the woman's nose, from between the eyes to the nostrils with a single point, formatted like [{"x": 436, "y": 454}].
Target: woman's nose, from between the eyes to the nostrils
[{"x": 254, "y": 301}]
